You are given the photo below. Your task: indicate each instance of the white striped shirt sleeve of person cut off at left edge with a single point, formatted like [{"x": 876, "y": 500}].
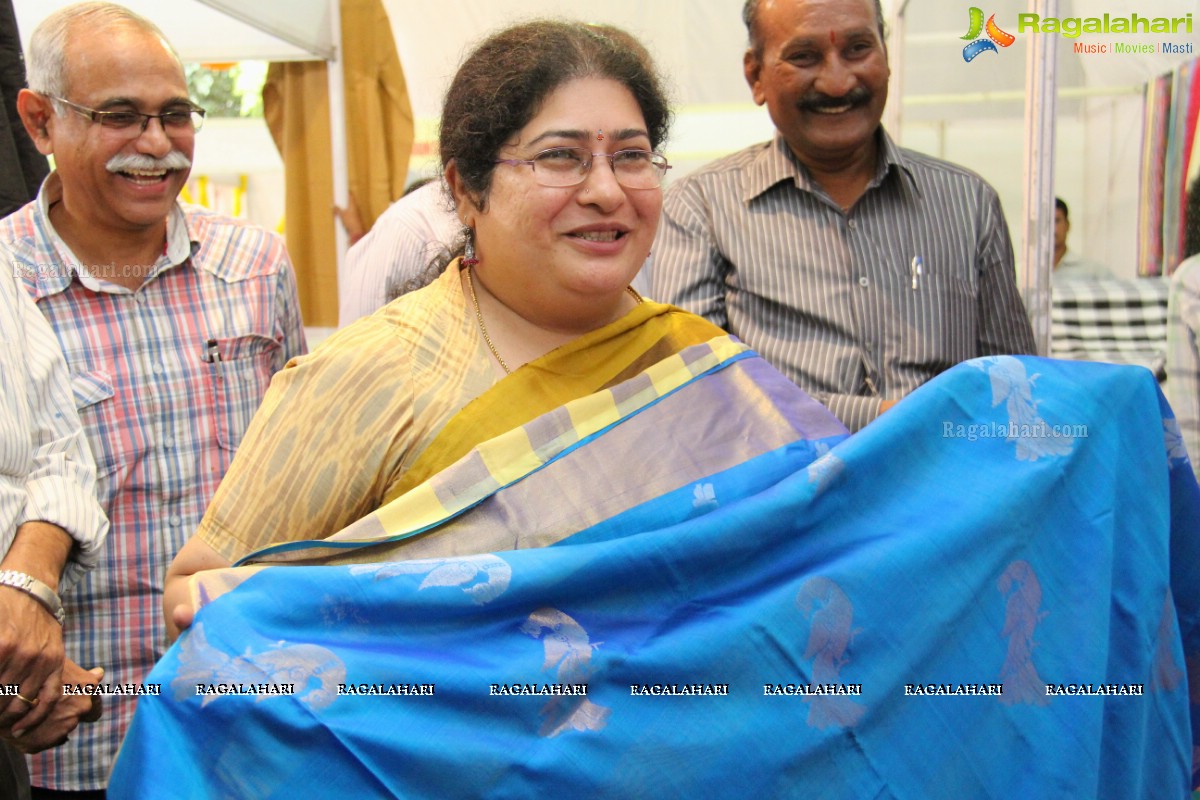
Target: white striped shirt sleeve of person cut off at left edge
[{"x": 46, "y": 471}]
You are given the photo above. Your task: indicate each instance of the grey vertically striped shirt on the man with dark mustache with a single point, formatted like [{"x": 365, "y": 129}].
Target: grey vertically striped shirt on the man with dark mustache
[{"x": 853, "y": 306}]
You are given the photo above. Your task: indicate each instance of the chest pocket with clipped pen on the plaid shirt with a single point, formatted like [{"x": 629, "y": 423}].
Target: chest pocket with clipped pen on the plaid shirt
[{"x": 241, "y": 370}]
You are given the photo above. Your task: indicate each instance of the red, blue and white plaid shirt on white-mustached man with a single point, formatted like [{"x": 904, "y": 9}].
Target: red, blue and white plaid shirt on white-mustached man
[{"x": 166, "y": 380}]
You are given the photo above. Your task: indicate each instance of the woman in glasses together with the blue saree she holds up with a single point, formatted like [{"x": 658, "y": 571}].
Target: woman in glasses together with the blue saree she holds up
[{"x": 597, "y": 549}]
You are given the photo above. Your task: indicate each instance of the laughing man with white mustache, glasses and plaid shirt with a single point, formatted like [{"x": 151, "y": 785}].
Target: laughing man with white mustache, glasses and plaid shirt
[{"x": 172, "y": 320}]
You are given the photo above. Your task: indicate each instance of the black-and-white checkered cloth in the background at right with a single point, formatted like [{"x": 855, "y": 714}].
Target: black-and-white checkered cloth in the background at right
[{"x": 1115, "y": 321}]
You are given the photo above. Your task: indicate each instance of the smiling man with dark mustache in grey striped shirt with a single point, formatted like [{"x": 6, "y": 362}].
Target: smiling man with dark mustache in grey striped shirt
[{"x": 857, "y": 268}]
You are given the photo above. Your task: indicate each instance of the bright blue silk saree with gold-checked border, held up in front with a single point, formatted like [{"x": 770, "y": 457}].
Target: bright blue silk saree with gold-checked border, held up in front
[{"x": 992, "y": 592}]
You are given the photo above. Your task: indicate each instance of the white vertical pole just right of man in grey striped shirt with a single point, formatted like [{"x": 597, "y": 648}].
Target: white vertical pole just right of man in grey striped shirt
[{"x": 1036, "y": 257}]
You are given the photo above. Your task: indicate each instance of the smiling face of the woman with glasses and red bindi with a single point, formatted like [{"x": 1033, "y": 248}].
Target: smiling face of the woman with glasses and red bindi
[{"x": 561, "y": 254}]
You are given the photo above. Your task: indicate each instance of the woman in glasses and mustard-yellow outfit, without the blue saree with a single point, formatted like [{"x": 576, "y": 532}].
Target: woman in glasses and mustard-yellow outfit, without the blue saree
[{"x": 549, "y": 145}]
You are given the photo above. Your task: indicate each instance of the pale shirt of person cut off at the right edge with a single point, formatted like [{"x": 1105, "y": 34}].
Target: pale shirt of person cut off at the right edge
[{"x": 1184, "y": 354}]
